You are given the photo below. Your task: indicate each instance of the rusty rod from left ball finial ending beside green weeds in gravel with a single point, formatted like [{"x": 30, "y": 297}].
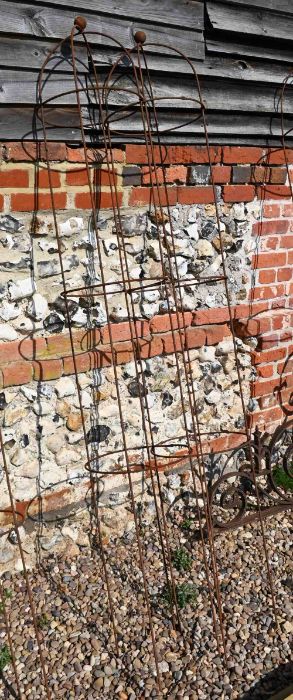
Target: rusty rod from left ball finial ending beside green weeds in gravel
[{"x": 167, "y": 560}]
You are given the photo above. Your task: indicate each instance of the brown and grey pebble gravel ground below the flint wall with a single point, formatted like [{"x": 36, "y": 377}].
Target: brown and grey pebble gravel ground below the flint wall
[{"x": 73, "y": 617}]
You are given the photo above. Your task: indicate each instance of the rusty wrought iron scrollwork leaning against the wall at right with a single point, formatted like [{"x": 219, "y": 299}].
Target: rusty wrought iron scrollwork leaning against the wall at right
[{"x": 256, "y": 478}]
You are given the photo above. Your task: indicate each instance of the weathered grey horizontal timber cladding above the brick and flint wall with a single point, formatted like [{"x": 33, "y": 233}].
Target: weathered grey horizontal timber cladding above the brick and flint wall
[{"x": 246, "y": 55}]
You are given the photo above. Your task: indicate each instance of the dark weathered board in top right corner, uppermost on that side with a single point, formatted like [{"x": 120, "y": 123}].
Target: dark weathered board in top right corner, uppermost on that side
[{"x": 254, "y": 22}]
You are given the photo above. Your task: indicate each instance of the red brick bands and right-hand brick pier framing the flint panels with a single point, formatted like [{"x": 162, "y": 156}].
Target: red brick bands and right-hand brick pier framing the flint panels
[{"x": 241, "y": 175}]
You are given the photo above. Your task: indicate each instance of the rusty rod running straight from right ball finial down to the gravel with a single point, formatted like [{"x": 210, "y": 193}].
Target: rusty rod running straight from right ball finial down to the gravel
[{"x": 191, "y": 403}]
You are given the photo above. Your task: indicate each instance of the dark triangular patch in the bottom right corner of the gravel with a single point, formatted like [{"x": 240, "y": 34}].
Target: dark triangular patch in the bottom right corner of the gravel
[{"x": 273, "y": 686}]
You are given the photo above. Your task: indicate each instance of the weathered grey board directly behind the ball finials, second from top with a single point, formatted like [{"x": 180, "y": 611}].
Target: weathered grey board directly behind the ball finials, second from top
[{"x": 41, "y": 21}]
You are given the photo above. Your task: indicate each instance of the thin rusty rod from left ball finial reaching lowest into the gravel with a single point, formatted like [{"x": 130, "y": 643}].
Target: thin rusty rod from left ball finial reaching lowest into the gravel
[{"x": 141, "y": 557}]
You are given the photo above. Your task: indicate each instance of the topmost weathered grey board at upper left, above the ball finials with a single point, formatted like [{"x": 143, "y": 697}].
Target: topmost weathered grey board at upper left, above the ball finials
[{"x": 171, "y": 12}]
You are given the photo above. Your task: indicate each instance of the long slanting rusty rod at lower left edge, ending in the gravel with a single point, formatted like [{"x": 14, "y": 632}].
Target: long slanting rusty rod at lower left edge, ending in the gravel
[{"x": 25, "y": 571}]
